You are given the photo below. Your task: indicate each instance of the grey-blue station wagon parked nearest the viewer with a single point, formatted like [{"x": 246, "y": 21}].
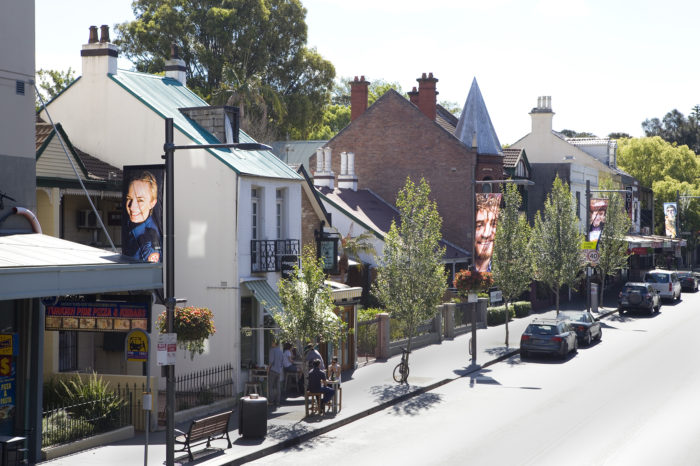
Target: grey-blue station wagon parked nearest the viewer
[{"x": 548, "y": 336}]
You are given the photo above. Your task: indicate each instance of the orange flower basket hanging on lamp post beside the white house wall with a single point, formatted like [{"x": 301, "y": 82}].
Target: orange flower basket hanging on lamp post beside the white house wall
[{"x": 192, "y": 325}]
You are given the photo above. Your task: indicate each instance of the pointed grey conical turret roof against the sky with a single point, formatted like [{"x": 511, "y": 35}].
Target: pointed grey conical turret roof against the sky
[{"x": 475, "y": 123}]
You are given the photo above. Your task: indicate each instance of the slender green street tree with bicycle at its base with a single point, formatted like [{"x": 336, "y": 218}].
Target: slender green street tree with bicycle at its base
[{"x": 411, "y": 279}]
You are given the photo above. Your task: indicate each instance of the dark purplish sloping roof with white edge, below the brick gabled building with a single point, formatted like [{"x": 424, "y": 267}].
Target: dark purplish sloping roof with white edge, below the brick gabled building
[{"x": 373, "y": 213}]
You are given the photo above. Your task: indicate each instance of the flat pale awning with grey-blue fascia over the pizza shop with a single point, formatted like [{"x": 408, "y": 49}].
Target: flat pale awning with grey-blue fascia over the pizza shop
[{"x": 36, "y": 265}]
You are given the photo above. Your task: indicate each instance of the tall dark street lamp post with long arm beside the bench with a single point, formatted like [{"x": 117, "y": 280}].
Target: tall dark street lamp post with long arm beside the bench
[{"x": 170, "y": 300}]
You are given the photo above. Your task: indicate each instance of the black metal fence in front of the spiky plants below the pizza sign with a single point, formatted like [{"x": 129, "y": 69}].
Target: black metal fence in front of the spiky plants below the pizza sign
[{"x": 66, "y": 424}]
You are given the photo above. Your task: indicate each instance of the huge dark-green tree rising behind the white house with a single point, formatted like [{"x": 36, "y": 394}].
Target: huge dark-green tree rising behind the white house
[{"x": 262, "y": 44}]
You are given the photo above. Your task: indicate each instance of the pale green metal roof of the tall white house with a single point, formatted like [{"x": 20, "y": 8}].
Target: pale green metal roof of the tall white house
[{"x": 166, "y": 95}]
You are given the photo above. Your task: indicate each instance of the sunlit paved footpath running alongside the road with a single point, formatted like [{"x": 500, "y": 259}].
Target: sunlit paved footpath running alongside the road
[{"x": 366, "y": 390}]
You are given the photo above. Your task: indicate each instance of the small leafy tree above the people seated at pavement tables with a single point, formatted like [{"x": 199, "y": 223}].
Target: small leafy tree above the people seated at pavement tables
[{"x": 308, "y": 310}]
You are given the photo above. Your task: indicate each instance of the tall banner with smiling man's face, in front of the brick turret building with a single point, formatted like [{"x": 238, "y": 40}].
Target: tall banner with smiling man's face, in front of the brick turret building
[{"x": 487, "y": 210}]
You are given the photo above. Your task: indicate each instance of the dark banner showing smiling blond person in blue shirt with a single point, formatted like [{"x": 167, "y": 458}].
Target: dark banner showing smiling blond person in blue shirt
[{"x": 142, "y": 219}]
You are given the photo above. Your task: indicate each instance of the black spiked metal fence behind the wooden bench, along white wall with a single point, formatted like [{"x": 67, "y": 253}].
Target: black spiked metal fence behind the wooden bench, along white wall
[{"x": 203, "y": 387}]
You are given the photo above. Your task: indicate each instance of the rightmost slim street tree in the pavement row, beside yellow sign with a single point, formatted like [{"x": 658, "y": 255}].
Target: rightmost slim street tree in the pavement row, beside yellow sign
[{"x": 612, "y": 245}]
